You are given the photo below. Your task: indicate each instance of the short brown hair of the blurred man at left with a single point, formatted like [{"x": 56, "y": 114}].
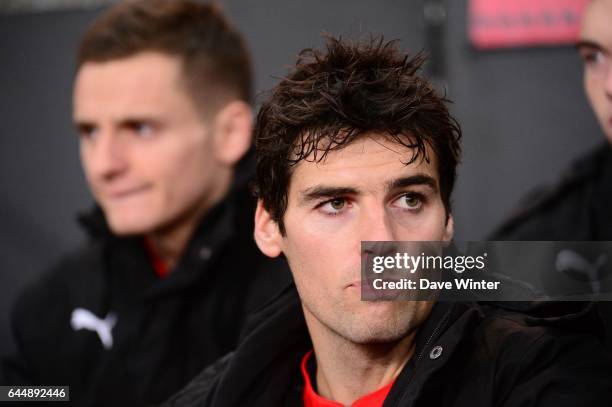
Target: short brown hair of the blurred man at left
[{"x": 216, "y": 63}]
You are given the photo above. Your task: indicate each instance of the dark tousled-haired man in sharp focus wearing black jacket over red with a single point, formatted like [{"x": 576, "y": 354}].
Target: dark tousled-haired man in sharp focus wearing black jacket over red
[{"x": 353, "y": 145}]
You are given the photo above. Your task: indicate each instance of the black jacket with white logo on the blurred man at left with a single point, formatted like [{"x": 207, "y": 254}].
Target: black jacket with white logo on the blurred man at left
[{"x": 166, "y": 330}]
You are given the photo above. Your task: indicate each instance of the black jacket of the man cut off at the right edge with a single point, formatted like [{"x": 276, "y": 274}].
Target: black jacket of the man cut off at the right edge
[{"x": 579, "y": 208}]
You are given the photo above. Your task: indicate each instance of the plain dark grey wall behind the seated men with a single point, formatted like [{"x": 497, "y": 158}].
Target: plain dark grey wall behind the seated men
[{"x": 523, "y": 112}]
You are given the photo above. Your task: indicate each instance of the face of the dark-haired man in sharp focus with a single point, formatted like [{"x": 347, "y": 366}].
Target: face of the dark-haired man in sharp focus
[{"x": 363, "y": 192}]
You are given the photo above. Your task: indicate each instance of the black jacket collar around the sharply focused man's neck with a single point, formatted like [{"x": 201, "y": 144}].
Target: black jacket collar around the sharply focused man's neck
[{"x": 265, "y": 366}]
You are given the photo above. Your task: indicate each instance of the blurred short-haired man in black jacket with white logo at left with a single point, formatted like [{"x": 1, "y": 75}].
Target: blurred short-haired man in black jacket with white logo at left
[{"x": 161, "y": 105}]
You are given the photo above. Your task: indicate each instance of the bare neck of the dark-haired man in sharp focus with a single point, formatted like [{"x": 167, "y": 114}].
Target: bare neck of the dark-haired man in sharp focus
[{"x": 347, "y": 371}]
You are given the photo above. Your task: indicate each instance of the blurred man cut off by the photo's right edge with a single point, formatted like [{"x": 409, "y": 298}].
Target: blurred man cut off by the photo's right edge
[{"x": 579, "y": 207}]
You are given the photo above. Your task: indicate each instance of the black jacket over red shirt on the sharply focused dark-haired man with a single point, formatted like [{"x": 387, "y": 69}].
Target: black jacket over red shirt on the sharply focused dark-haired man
[{"x": 490, "y": 356}]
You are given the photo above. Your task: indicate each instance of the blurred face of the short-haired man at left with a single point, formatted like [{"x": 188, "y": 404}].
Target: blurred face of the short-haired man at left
[{"x": 146, "y": 149}]
